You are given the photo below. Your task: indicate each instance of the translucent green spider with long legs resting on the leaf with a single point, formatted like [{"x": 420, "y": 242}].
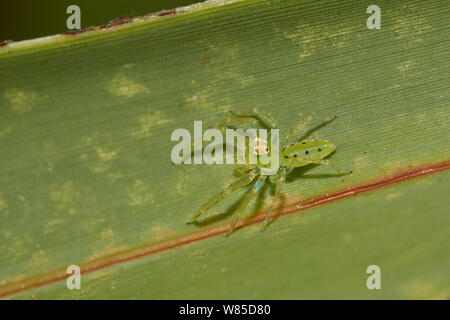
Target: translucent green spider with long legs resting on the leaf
[{"x": 293, "y": 155}]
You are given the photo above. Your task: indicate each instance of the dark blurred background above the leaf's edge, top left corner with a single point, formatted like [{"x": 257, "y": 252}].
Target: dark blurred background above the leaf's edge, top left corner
[{"x": 28, "y": 19}]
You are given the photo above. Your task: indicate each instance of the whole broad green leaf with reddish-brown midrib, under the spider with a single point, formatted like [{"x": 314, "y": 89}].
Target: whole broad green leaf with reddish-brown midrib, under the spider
[{"x": 86, "y": 176}]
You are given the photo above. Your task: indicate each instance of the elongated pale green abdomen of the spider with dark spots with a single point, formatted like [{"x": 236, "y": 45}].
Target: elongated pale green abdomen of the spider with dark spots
[{"x": 304, "y": 152}]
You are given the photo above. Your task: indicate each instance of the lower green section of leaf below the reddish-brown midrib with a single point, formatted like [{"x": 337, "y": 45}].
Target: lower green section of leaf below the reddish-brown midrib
[{"x": 321, "y": 254}]
